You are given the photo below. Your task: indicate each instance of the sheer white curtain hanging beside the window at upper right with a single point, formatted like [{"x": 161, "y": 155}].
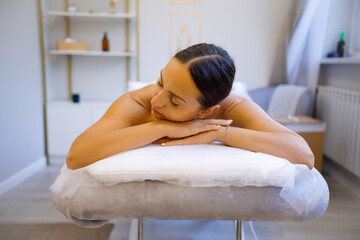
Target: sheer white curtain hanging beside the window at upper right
[{"x": 304, "y": 50}]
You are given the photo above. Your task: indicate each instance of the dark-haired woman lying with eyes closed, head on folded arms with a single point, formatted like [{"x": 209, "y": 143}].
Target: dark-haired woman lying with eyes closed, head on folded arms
[{"x": 189, "y": 104}]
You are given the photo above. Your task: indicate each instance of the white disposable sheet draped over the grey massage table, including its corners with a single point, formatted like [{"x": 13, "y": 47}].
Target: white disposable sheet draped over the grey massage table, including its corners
[{"x": 207, "y": 165}]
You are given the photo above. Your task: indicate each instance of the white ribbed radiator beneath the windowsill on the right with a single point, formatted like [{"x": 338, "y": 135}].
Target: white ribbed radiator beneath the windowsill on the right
[{"x": 340, "y": 109}]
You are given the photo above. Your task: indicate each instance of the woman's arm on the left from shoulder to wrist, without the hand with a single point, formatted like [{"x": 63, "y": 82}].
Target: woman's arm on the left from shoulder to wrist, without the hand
[{"x": 113, "y": 133}]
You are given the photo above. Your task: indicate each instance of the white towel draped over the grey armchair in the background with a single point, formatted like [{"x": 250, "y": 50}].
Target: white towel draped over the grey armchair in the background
[{"x": 285, "y": 100}]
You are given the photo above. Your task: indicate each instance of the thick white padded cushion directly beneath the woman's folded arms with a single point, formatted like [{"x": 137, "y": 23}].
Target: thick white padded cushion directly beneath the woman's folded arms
[{"x": 201, "y": 165}]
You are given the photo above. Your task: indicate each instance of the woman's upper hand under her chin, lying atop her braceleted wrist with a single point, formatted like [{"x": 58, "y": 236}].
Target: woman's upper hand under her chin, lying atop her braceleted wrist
[{"x": 193, "y": 127}]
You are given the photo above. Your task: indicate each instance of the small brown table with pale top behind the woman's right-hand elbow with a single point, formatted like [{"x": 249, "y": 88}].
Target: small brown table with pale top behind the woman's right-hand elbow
[{"x": 311, "y": 129}]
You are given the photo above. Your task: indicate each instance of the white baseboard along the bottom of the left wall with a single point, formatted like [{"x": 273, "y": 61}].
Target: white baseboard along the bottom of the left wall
[{"x": 23, "y": 174}]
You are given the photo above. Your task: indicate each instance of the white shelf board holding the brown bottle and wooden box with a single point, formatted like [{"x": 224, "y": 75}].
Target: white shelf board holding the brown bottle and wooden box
[{"x": 94, "y": 53}]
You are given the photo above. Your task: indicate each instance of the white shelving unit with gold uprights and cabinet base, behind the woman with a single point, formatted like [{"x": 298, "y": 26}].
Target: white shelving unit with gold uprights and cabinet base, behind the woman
[{"x": 65, "y": 120}]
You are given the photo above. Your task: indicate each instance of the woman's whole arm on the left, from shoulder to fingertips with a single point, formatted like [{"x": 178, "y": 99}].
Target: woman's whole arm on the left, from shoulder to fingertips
[{"x": 115, "y": 133}]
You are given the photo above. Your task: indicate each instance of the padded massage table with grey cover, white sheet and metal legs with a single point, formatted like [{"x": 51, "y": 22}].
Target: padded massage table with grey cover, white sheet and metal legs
[{"x": 192, "y": 182}]
